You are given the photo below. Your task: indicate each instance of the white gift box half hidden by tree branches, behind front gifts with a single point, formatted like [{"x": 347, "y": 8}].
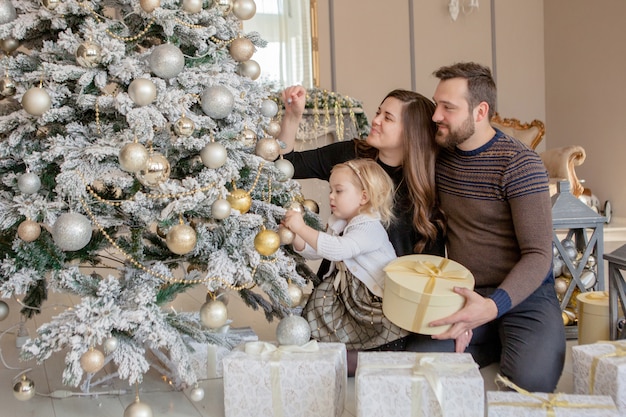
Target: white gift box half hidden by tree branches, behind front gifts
[{"x": 206, "y": 358}]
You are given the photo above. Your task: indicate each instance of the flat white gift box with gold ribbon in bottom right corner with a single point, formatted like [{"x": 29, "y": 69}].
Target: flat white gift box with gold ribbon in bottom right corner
[{"x": 514, "y": 404}]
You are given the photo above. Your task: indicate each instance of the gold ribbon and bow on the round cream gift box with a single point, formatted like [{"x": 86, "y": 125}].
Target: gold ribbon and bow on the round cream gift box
[{"x": 433, "y": 272}]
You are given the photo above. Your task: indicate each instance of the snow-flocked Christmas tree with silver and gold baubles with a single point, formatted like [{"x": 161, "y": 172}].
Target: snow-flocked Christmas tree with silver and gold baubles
[{"x": 135, "y": 139}]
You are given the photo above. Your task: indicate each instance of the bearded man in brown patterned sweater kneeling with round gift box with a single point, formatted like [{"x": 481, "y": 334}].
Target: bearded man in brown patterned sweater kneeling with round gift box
[{"x": 494, "y": 191}]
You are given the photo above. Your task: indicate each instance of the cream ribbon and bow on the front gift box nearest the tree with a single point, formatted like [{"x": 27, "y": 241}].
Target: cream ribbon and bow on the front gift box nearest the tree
[{"x": 274, "y": 354}]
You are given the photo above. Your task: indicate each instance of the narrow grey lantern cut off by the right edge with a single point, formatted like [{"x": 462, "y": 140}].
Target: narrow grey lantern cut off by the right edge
[{"x": 617, "y": 290}]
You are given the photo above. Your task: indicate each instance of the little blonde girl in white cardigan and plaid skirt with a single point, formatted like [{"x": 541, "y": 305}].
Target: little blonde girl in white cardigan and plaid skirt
[{"x": 347, "y": 306}]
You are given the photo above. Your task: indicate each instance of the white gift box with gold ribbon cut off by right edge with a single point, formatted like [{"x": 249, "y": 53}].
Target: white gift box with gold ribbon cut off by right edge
[{"x": 600, "y": 369}]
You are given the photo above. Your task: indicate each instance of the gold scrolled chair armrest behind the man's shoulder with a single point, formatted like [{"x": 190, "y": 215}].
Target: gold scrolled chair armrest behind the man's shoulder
[{"x": 561, "y": 164}]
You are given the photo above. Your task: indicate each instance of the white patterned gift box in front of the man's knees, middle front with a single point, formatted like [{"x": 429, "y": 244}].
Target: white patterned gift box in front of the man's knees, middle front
[{"x": 399, "y": 384}]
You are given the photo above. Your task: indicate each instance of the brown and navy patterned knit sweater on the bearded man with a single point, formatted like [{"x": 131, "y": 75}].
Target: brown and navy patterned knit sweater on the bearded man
[{"x": 499, "y": 216}]
